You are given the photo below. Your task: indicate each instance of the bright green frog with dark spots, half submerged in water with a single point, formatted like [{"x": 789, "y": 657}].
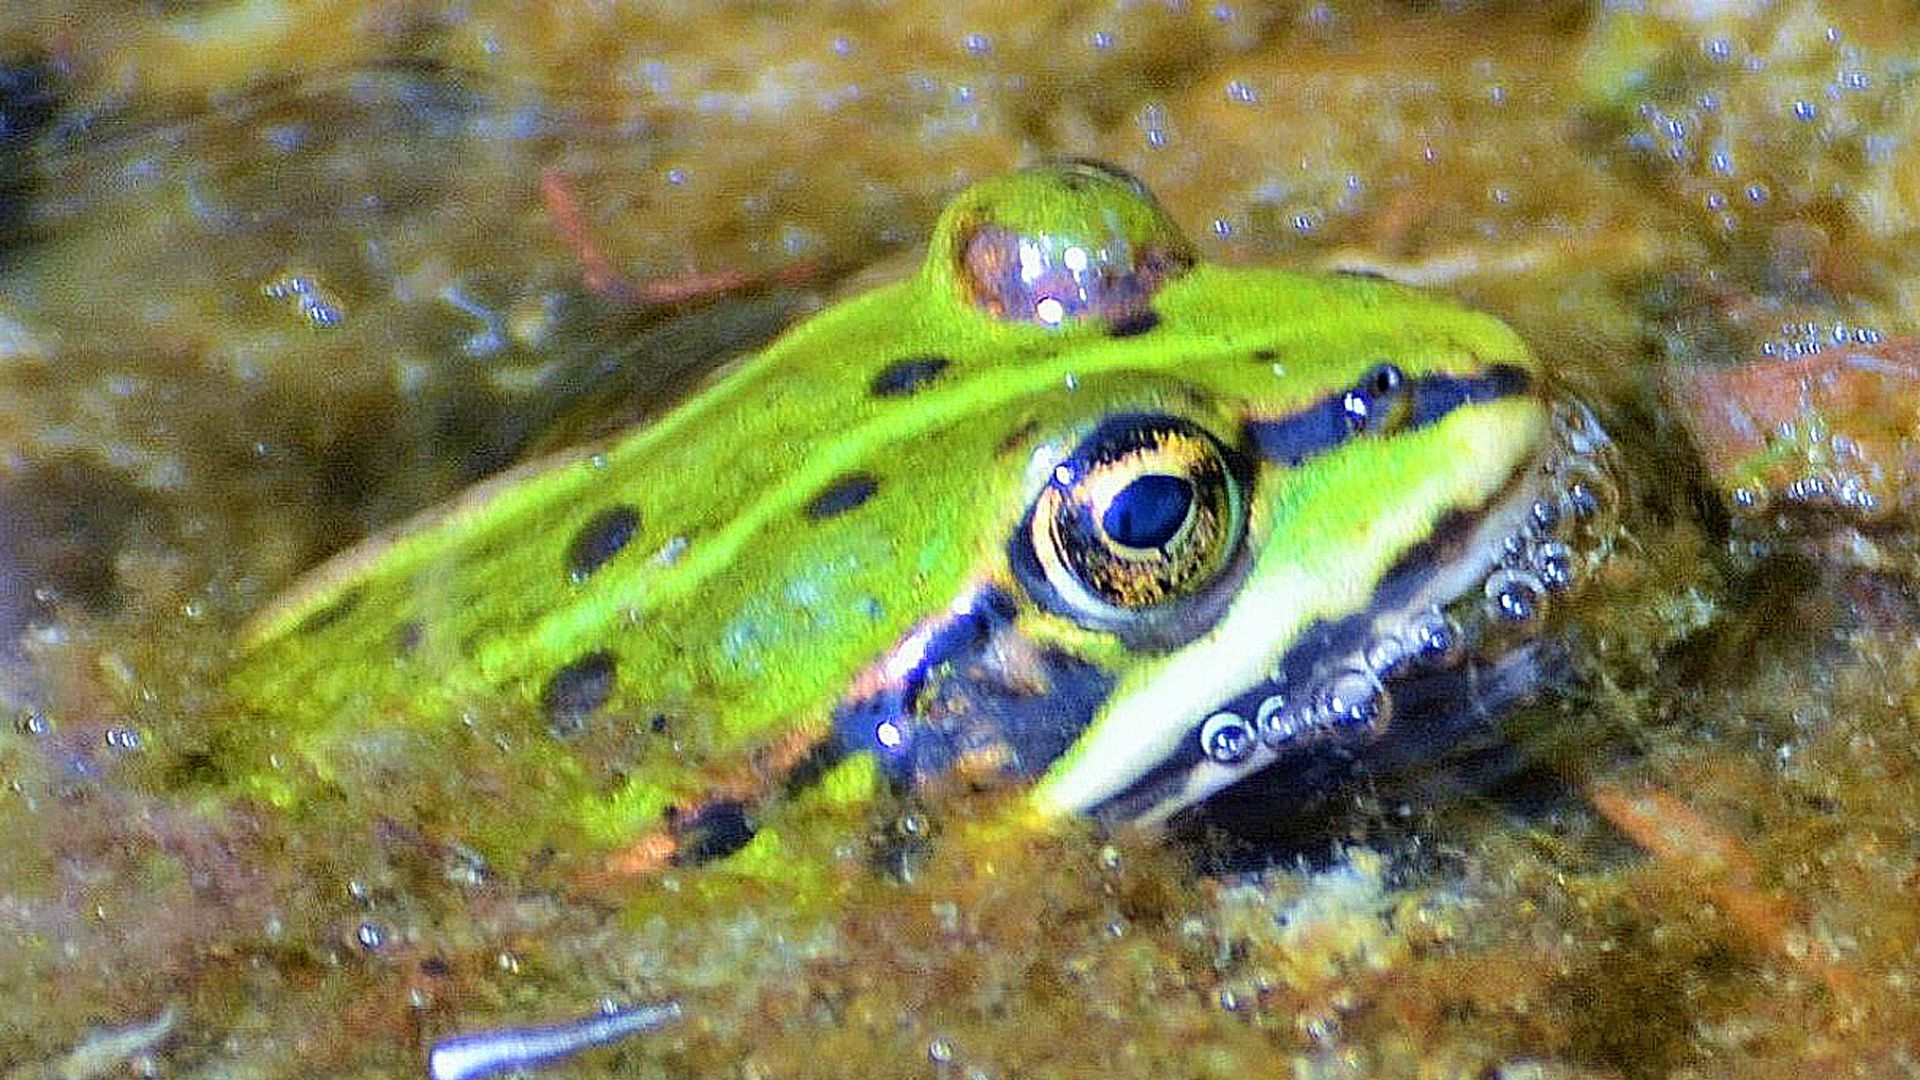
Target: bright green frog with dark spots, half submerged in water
[{"x": 1068, "y": 512}]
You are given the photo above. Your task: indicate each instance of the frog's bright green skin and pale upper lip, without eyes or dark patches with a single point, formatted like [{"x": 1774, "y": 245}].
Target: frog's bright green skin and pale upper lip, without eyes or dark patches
[{"x": 748, "y": 622}]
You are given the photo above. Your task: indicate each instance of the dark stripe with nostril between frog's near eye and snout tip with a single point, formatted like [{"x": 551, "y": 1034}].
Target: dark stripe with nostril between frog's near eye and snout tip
[{"x": 1330, "y": 422}]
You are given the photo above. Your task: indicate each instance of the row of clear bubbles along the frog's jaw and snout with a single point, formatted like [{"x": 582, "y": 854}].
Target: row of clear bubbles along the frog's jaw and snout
[{"x": 1566, "y": 531}]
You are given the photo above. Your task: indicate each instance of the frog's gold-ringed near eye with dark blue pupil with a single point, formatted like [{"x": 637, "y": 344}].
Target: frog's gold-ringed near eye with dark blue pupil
[{"x": 1143, "y": 516}]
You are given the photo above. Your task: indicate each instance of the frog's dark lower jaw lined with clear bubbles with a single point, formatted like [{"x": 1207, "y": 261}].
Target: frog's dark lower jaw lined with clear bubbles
[{"x": 1451, "y": 641}]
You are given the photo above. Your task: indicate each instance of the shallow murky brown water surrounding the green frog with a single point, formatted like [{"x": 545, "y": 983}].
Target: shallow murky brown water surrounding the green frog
[{"x": 277, "y": 274}]
